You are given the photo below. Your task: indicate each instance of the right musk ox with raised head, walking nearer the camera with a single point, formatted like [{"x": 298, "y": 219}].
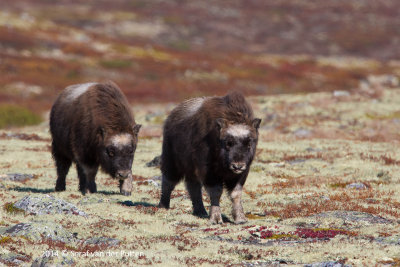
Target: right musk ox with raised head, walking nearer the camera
[{"x": 210, "y": 142}]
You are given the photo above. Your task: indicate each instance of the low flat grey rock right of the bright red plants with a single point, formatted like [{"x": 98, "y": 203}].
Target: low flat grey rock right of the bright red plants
[{"x": 353, "y": 216}]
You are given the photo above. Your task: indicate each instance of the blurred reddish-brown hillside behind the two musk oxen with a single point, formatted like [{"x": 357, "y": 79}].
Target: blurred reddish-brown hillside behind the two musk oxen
[{"x": 162, "y": 51}]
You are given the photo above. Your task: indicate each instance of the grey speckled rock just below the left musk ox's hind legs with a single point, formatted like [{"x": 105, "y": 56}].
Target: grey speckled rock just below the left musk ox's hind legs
[{"x": 46, "y": 204}]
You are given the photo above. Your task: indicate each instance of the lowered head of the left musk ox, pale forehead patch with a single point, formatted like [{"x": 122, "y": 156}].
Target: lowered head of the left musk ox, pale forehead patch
[{"x": 117, "y": 151}]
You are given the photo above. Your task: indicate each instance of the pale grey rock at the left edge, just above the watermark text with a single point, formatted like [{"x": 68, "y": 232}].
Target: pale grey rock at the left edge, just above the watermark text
[{"x": 39, "y": 230}]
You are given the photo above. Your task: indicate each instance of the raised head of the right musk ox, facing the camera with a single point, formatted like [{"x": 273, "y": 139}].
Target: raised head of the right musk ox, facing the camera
[{"x": 238, "y": 143}]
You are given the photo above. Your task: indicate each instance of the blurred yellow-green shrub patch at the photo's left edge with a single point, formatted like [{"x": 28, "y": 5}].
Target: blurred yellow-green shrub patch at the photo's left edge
[{"x": 12, "y": 115}]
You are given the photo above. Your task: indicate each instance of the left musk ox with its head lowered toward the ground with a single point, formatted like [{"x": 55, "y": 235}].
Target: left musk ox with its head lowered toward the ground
[{"x": 92, "y": 125}]
